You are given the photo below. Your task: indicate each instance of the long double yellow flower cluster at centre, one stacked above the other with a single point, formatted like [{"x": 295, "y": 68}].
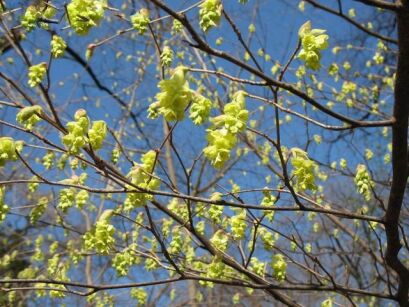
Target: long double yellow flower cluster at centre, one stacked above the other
[{"x": 222, "y": 137}]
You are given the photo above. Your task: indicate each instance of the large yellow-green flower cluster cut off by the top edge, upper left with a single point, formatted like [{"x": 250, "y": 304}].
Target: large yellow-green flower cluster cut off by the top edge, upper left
[{"x": 85, "y": 14}]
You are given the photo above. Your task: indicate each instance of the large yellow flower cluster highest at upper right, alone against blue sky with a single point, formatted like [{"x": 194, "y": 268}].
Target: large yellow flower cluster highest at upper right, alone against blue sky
[{"x": 313, "y": 41}]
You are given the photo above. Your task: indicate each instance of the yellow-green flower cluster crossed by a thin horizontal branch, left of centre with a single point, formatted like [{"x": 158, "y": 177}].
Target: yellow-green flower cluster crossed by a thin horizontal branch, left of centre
[{"x": 141, "y": 176}]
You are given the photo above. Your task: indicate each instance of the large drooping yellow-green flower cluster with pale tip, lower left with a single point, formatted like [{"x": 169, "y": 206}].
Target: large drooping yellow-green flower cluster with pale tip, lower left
[{"x": 101, "y": 237}]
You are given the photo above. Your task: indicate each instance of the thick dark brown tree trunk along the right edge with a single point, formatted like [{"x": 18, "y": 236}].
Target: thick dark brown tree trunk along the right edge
[{"x": 399, "y": 157}]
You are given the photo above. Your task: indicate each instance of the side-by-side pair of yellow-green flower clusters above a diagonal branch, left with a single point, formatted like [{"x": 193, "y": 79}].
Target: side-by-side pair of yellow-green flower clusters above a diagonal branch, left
[{"x": 80, "y": 135}]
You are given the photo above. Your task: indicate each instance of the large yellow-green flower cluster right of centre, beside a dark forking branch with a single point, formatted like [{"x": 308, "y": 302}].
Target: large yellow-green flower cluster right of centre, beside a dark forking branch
[{"x": 304, "y": 170}]
